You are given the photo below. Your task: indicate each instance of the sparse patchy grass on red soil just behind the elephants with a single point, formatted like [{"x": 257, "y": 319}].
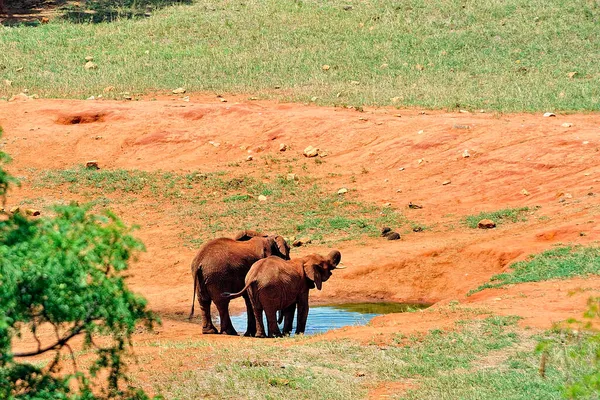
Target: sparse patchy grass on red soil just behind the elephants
[{"x": 210, "y": 205}]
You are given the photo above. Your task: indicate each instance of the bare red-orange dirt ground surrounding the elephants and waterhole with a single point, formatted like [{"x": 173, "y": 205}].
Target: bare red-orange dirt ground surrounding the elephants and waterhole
[{"x": 558, "y": 166}]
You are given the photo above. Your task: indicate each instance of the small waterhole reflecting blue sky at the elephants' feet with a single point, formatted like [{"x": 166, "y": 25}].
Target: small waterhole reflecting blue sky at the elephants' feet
[{"x": 332, "y": 316}]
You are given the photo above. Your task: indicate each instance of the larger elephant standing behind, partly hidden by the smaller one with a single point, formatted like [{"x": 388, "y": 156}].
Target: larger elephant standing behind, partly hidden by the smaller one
[{"x": 221, "y": 265}]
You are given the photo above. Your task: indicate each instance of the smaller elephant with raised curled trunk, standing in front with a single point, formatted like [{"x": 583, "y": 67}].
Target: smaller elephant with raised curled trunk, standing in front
[{"x": 274, "y": 284}]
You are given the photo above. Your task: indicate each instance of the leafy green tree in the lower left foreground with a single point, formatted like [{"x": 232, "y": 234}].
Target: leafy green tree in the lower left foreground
[{"x": 63, "y": 275}]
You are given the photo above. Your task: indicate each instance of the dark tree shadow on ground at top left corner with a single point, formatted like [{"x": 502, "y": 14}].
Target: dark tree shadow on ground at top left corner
[{"x": 36, "y": 12}]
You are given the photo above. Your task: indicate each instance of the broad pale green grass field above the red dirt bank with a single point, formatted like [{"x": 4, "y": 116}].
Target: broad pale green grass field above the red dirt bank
[{"x": 513, "y": 55}]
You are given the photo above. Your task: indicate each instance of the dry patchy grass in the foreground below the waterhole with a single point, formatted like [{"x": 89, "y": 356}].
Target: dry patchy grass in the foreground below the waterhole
[{"x": 481, "y": 359}]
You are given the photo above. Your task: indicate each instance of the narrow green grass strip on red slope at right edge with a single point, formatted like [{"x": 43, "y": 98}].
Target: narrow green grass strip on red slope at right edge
[{"x": 560, "y": 263}]
